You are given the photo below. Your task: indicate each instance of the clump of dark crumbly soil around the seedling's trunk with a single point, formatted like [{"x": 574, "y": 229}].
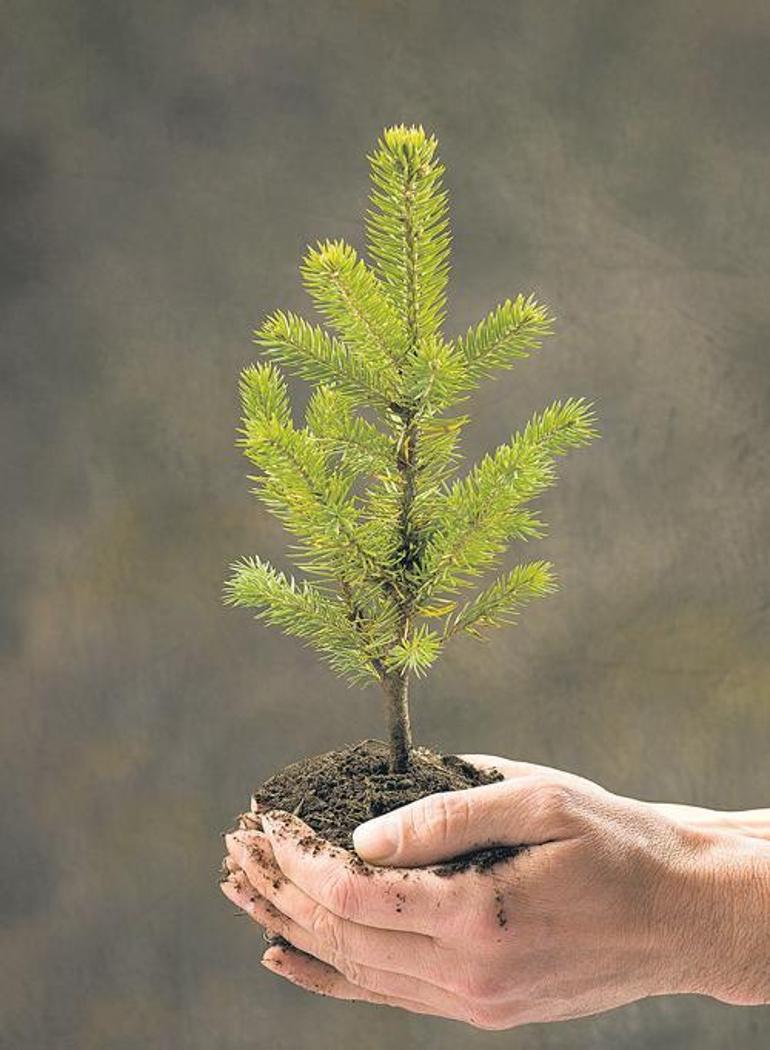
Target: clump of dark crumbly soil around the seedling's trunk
[{"x": 336, "y": 792}]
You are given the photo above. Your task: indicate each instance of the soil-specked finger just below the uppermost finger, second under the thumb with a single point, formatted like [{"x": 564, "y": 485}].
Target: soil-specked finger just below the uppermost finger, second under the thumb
[{"x": 401, "y": 952}]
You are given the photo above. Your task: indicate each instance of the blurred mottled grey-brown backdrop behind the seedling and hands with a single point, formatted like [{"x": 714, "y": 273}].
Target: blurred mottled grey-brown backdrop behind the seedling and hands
[{"x": 163, "y": 166}]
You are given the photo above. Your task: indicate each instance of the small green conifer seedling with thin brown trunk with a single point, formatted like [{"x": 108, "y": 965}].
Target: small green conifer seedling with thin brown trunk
[{"x": 387, "y": 535}]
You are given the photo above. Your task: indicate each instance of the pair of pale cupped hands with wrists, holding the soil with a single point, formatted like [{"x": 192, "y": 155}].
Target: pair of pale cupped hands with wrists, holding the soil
[{"x": 613, "y": 901}]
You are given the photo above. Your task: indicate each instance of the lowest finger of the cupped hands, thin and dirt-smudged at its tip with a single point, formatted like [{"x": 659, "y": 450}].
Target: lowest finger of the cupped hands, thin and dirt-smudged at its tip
[{"x": 318, "y": 977}]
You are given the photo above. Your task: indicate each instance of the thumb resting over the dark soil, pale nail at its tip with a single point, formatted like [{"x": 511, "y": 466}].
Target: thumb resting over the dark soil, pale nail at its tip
[{"x": 522, "y": 812}]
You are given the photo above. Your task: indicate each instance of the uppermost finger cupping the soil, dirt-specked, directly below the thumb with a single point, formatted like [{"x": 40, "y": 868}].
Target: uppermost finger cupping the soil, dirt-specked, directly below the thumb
[{"x": 390, "y": 899}]
